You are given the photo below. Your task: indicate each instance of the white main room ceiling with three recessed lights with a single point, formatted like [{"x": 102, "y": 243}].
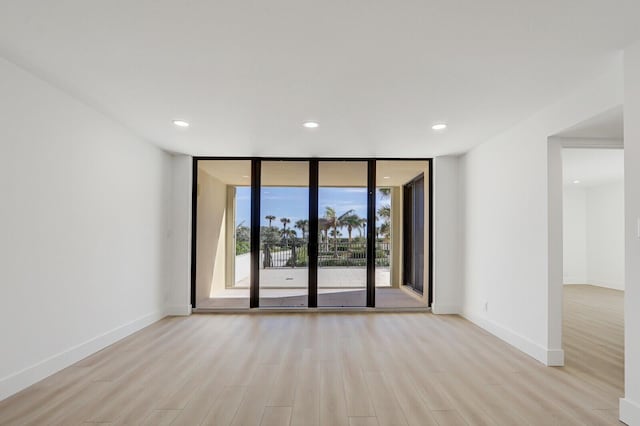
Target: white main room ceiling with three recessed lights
[{"x": 375, "y": 74}]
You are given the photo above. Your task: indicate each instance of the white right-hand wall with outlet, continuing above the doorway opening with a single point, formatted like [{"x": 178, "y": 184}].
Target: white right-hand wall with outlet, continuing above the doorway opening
[{"x": 506, "y": 228}]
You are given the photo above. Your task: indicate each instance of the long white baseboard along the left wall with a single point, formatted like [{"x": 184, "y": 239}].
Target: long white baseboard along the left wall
[{"x": 15, "y": 382}]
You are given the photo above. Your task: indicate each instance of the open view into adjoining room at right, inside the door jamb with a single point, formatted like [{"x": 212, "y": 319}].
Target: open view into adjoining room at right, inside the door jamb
[{"x": 593, "y": 265}]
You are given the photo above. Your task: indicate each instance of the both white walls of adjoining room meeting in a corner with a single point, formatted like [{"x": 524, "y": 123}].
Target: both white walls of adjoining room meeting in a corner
[{"x": 593, "y": 235}]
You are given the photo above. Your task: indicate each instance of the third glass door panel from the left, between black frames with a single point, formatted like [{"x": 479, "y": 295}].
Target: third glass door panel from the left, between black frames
[{"x": 342, "y": 239}]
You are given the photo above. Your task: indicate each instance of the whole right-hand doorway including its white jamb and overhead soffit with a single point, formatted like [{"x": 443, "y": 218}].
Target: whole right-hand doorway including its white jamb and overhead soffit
[{"x": 586, "y": 218}]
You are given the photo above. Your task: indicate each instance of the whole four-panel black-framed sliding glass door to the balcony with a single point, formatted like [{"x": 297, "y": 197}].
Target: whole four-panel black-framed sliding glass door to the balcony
[{"x": 311, "y": 233}]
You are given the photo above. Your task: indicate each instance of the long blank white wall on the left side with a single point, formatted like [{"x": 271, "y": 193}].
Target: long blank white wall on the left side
[{"x": 83, "y": 221}]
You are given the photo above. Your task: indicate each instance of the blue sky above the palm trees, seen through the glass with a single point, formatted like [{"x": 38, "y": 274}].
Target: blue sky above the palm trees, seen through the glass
[{"x": 293, "y": 202}]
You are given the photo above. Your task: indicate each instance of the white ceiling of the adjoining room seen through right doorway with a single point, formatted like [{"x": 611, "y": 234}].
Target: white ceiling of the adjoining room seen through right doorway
[{"x": 592, "y": 166}]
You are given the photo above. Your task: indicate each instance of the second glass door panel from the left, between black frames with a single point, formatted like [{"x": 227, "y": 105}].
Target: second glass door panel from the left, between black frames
[{"x": 284, "y": 216}]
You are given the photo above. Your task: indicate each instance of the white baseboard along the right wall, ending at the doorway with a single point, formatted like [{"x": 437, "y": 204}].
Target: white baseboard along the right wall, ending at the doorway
[{"x": 549, "y": 357}]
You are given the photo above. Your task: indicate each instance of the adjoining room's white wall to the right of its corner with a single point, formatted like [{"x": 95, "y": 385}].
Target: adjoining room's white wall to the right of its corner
[{"x": 605, "y": 235}]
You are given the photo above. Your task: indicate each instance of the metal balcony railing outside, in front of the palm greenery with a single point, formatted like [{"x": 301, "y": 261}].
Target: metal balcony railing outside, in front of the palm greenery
[{"x": 340, "y": 253}]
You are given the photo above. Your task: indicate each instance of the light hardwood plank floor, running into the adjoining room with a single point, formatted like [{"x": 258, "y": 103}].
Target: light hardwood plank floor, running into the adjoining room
[{"x": 332, "y": 369}]
